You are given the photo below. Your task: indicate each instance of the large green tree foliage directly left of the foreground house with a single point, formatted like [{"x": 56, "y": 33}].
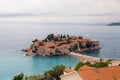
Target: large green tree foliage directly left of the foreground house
[{"x": 52, "y": 74}]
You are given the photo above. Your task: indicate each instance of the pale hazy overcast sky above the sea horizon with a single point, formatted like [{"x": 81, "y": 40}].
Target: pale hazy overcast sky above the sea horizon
[{"x": 59, "y": 10}]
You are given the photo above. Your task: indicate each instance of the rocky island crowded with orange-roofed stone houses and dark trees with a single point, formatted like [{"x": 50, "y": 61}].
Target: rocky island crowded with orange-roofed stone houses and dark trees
[{"x": 58, "y": 45}]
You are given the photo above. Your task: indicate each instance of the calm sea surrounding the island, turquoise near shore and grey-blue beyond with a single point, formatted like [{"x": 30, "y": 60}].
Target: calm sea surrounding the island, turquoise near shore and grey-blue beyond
[{"x": 14, "y": 37}]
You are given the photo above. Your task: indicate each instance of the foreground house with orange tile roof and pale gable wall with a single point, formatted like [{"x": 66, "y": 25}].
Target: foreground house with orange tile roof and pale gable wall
[{"x": 90, "y": 73}]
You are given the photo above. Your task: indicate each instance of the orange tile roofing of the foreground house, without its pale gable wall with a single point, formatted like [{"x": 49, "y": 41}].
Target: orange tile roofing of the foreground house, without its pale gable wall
[{"x": 105, "y": 73}]
